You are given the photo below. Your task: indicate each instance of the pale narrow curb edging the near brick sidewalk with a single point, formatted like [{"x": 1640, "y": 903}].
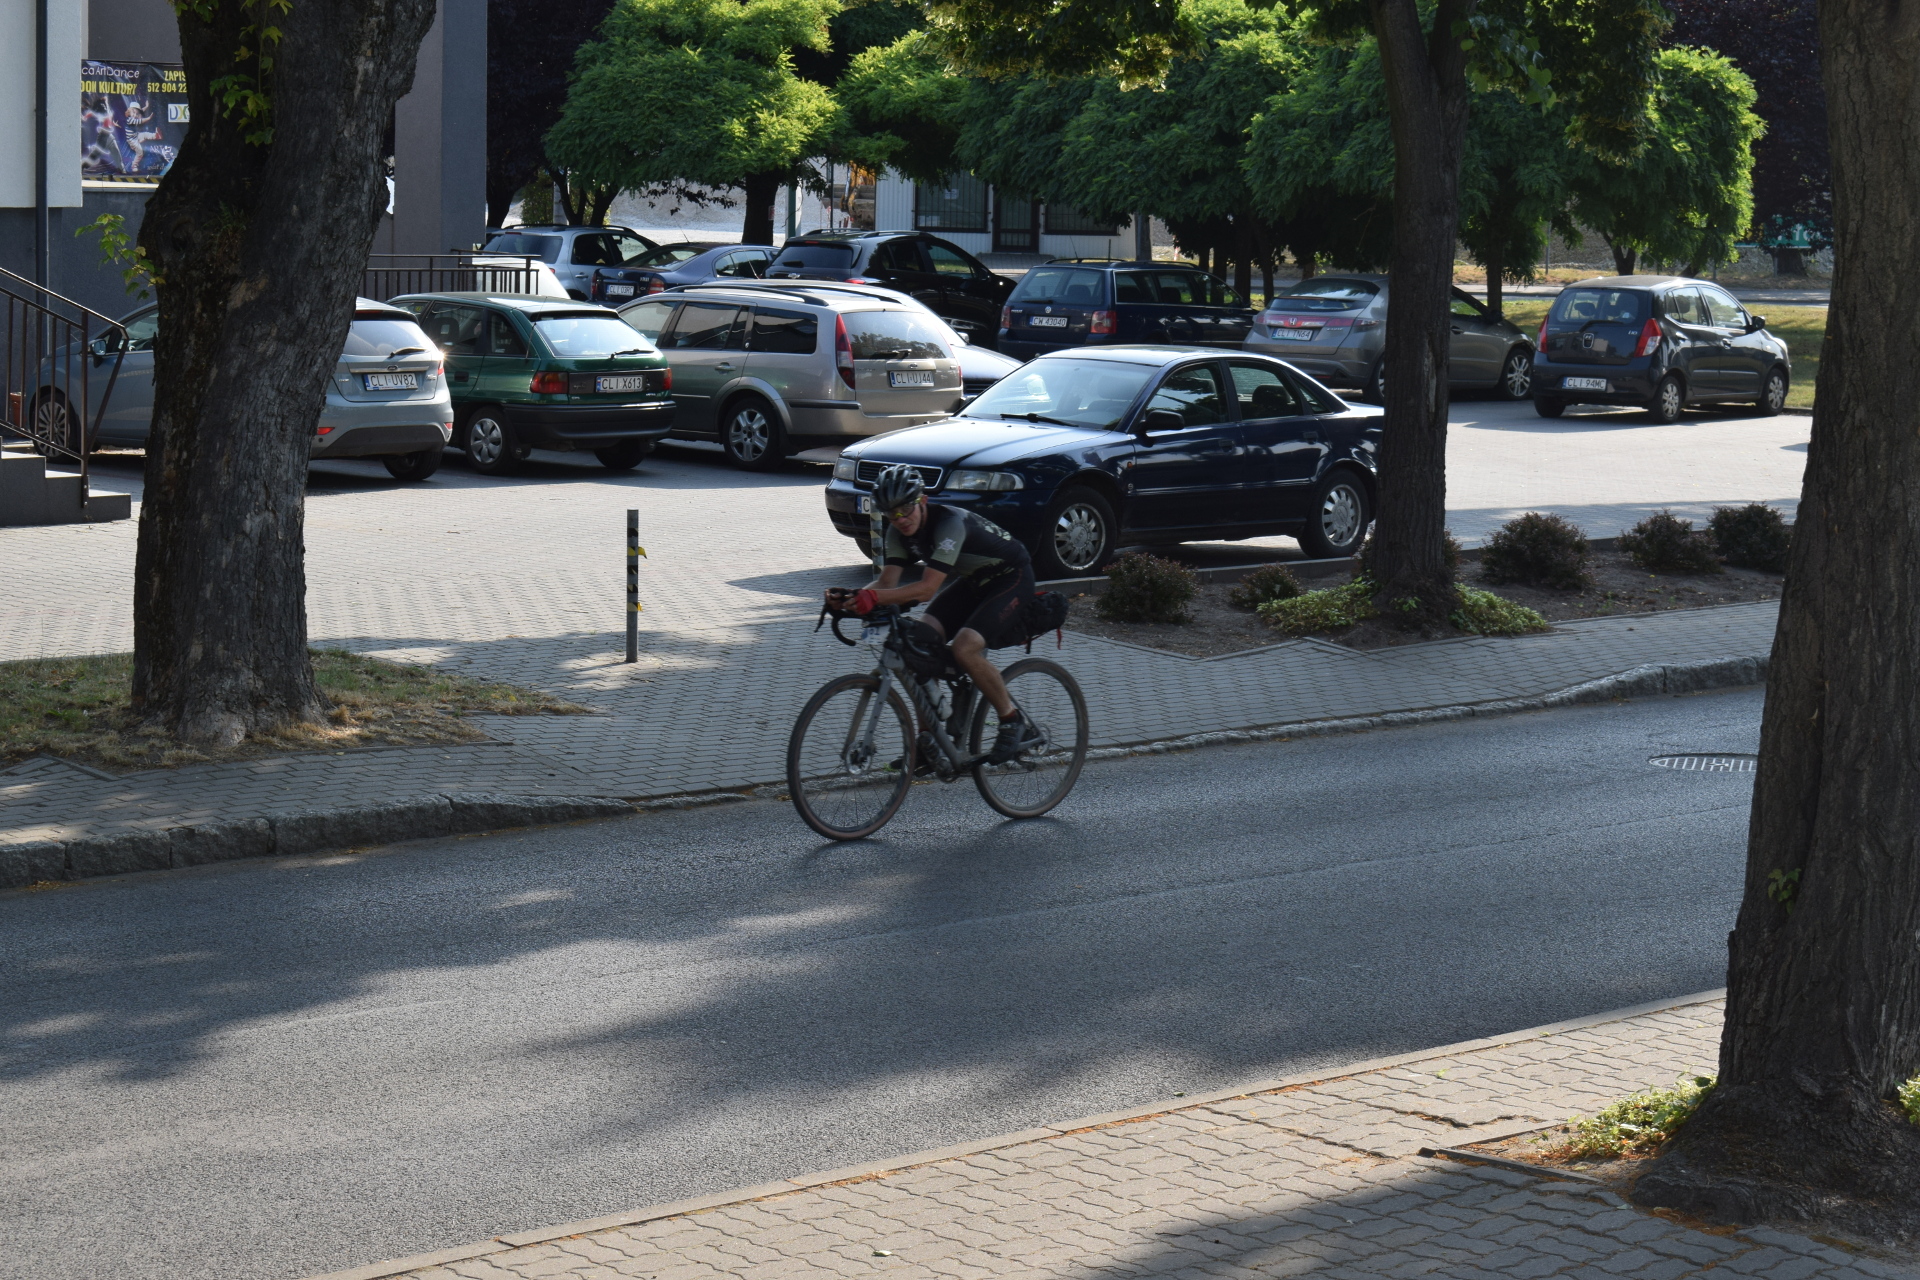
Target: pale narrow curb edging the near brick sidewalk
[{"x": 652, "y": 1214}]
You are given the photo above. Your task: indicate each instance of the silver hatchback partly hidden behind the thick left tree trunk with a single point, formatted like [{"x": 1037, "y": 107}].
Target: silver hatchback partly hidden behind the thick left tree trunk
[{"x": 387, "y": 400}]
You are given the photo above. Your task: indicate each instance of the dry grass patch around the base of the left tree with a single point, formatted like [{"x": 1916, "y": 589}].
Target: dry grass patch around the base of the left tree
[{"x": 78, "y": 709}]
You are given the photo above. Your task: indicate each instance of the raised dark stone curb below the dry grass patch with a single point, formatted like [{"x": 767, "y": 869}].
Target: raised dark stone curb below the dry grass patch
[{"x": 304, "y": 832}]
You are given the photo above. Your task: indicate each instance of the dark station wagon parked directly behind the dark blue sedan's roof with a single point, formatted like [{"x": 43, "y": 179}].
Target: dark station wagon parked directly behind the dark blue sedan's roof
[{"x": 1097, "y": 302}]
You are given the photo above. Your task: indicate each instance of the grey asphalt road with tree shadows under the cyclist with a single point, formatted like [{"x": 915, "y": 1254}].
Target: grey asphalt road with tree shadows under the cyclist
[{"x": 287, "y": 1068}]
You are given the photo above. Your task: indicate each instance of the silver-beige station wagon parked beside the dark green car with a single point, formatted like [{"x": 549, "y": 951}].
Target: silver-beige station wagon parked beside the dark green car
[{"x": 775, "y": 369}]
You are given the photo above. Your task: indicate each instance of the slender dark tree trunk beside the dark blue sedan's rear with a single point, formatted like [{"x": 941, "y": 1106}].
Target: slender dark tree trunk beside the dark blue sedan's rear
[{"x": 1428, "y": 112}]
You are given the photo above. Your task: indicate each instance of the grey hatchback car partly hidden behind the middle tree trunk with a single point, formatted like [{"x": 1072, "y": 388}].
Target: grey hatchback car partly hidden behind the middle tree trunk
[{"x": 1335, "y": 329}]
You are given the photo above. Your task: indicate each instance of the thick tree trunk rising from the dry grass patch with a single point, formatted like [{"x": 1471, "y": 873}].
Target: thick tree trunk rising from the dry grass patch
[{"x": 260, "y": 250}]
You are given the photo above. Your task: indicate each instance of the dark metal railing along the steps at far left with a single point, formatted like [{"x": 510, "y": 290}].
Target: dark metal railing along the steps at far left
[{"x": 53, "y": 362}]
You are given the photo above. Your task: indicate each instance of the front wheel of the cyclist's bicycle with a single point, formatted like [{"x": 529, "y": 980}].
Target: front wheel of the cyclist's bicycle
[{"x": 852, "y": 759}]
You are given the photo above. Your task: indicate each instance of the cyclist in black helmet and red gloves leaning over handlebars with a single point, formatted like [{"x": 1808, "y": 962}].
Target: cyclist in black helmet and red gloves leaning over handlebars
[{"x": 978, "y": 579}]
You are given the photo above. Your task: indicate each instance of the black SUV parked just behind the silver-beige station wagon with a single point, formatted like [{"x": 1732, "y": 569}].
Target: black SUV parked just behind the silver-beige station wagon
[{"x": 944, "y": 277}]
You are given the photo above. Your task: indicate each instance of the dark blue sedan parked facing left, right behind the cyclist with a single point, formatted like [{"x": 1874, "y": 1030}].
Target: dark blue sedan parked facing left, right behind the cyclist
[{"x": 1084, "y": 452}]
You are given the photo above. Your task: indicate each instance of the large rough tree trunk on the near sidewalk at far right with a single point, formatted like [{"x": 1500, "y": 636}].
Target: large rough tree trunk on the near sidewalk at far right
[{"x": 1823, "y": 1014}]
